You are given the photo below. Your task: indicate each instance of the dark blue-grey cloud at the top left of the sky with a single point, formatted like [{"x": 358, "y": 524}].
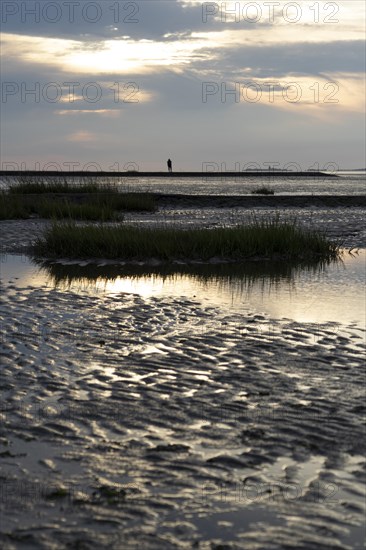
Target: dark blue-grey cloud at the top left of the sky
[{"x": 149, "y": 19}]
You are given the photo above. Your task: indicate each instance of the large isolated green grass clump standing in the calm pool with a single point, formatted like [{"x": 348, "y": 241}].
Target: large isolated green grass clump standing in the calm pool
[{"x": 271, "y": 238}]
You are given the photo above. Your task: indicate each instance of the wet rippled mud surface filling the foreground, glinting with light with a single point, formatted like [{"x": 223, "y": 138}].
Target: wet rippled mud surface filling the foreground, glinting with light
[{"x": 134, "y": 419}]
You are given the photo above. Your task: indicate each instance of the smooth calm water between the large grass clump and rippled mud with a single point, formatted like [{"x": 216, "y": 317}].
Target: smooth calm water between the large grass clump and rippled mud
[{"x": 333, "y": 293}]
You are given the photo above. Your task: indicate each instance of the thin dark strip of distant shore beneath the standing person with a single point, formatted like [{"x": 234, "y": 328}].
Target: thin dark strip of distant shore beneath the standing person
[{"x": 168, "y": 175}]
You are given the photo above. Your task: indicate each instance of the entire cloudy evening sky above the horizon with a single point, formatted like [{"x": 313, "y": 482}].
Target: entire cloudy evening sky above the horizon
[{"x": 126, "y": 85}]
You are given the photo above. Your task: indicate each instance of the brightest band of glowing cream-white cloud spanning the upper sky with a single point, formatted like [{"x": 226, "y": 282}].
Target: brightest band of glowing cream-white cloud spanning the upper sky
[{"x": 127, "y": 56}]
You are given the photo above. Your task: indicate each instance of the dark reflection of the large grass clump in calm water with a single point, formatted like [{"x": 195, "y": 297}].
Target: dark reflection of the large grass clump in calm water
[{"x": 267, "y": 273}]
